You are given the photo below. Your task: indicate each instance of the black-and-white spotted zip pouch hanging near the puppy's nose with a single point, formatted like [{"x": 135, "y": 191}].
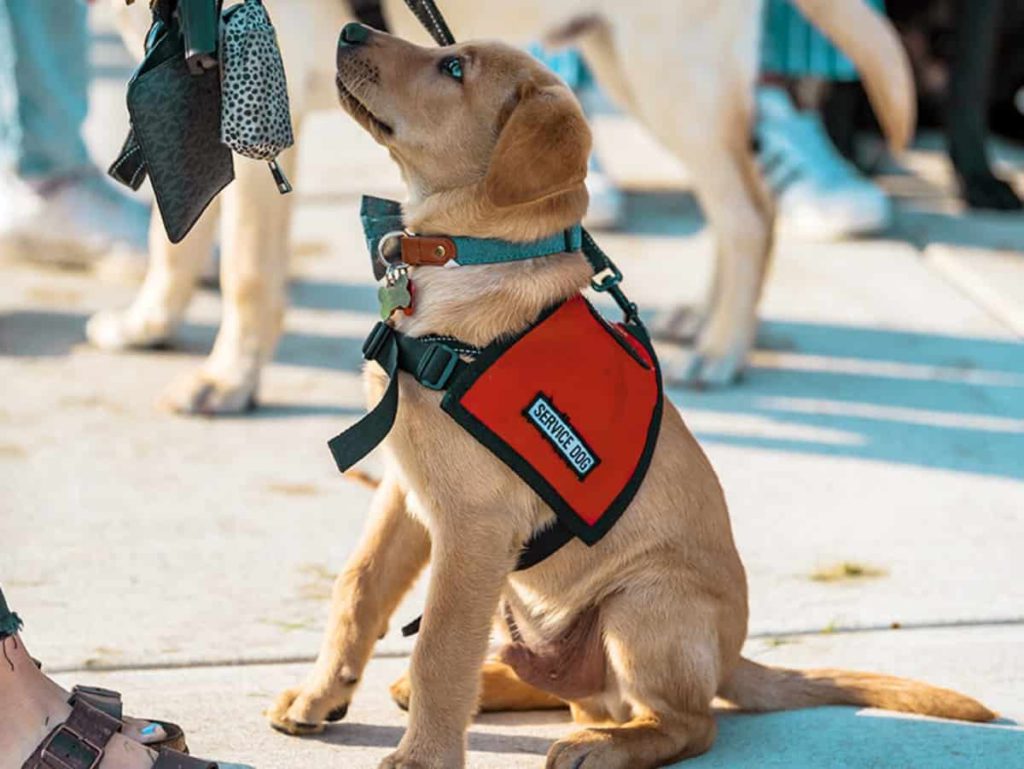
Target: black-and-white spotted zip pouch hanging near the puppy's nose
[{"x": 257, "y": 120}]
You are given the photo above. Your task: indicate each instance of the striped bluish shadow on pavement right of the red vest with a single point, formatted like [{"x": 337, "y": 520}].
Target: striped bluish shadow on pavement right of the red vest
[{"x": 926, "y": 400}]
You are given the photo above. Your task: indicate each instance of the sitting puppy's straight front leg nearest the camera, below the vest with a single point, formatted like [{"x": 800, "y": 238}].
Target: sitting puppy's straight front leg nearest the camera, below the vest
[{"x": 471, "y": 566}]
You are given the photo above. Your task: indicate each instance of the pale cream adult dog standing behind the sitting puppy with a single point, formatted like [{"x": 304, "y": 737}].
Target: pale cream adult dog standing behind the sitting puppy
[{"x": 685, "y": 68}]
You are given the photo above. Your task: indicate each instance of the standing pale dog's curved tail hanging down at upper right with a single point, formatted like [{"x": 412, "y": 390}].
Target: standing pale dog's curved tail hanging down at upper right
[{"x": 871, "y": 41}]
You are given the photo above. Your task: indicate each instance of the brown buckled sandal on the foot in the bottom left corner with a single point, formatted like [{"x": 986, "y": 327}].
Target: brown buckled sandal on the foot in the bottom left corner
[{"x": 80, "y": 742}]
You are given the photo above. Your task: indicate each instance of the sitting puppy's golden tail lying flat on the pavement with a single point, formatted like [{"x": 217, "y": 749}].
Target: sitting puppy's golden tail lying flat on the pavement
[{"x": 757, "y": 688}]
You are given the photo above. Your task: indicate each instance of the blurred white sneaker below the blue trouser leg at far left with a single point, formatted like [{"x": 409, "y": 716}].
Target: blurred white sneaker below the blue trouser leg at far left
[{"x": 77, "y": 223}]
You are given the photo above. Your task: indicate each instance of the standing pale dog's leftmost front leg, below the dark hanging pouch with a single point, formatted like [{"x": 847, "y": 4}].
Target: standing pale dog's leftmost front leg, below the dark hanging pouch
[{"x": 161, "y": 304}]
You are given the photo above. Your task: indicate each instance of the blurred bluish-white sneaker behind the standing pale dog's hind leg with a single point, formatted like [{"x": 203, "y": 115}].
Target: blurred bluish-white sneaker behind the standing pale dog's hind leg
[{"x": 819, "y": 195}]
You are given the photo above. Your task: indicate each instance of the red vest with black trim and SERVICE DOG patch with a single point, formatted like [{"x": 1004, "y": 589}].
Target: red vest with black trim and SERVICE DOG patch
[{"x": 574, "y": 407}]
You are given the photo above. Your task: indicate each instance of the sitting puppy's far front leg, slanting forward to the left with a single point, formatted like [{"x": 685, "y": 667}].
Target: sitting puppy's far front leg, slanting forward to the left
[{"x": 394, "y": 552}]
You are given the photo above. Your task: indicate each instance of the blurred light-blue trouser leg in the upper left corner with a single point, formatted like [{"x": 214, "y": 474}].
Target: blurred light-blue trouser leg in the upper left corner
[{"x": 45, "y": 78}]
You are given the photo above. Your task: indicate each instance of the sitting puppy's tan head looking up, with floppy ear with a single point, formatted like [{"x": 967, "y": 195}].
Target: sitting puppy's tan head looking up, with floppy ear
[{"x": 486, "y": 118}]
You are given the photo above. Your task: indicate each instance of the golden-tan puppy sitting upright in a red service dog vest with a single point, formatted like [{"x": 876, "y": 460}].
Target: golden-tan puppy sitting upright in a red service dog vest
[{"x": 648, "y": 626}]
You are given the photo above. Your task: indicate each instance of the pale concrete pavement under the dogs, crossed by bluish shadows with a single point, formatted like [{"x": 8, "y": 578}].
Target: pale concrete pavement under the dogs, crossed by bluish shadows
[{"x": 874, "y": 460}]
